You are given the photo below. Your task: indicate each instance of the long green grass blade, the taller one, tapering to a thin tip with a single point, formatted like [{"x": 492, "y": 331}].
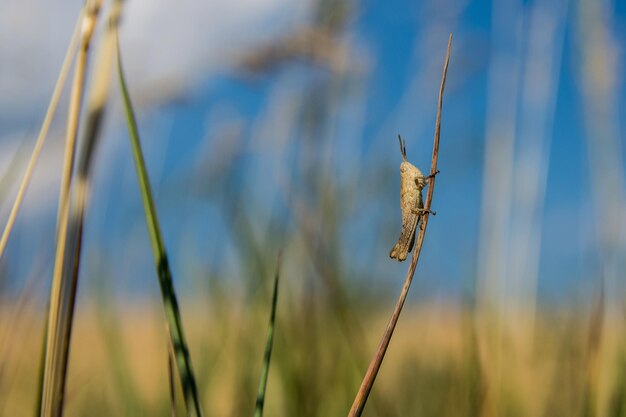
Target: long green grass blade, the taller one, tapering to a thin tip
[{"x": 170, "y": 304}]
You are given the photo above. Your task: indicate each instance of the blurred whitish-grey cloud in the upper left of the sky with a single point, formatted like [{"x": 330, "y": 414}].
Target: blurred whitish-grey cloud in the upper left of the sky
[{"x": 163, "y": 41}]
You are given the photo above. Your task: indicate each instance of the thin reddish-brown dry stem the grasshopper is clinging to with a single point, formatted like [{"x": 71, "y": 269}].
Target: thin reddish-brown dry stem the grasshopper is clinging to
[{"x": 372, "y": 371}]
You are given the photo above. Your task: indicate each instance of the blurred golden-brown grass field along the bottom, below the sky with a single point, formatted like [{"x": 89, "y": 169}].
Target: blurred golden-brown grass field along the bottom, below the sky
[{"x": 436, "y": 365}]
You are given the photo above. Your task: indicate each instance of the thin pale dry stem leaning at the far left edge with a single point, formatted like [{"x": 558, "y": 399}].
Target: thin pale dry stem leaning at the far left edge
[{"x": 43, "y": 133}]
